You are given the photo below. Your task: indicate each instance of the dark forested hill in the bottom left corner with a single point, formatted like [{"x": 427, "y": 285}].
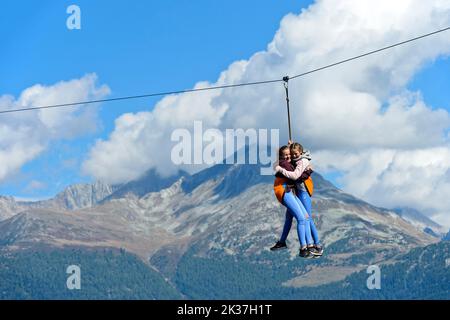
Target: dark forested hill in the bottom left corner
[{"x": 105, "y": 274}]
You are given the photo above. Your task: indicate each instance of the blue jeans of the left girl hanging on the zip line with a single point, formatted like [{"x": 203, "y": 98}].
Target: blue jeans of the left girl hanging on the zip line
[{"x": 296, "y": 209}]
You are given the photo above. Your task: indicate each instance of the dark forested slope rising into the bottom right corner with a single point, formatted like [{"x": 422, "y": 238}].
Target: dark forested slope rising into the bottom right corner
[{"x": 419, "y": 274}]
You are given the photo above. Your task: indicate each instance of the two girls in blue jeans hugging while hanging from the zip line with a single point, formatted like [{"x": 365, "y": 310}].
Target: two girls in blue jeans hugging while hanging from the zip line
[{"x": 293, "y": 188}]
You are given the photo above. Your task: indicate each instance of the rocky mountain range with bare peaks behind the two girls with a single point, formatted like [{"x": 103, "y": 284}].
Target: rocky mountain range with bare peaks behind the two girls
[{"x": 188, "y": 228}]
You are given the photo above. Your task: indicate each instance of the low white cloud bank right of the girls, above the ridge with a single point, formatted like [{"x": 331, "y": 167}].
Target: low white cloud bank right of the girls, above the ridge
[{"x": 417, "y": 178}]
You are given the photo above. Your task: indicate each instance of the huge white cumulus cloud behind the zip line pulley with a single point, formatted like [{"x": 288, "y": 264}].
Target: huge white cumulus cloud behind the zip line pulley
[{"x": 347, "y": 112}]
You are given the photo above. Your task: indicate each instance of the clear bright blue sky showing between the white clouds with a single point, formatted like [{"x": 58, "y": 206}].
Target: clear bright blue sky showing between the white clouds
[{"x": 136, "y": 47}]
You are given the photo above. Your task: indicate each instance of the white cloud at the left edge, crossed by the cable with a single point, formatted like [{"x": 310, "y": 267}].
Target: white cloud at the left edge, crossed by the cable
[{"x": 25, "y": 135}]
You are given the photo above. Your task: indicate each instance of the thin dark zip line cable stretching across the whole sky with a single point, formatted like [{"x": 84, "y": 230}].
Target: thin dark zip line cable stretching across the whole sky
[{"x": 224, "y": 86}]
